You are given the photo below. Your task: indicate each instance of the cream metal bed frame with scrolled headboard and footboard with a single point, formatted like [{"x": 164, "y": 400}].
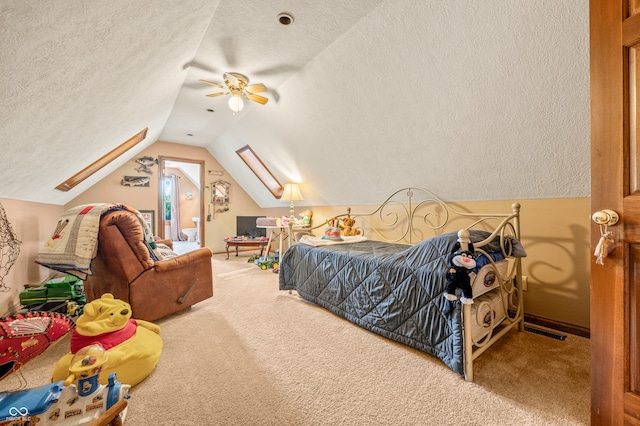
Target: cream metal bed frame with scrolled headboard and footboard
[{"x": 411, "y": 215}]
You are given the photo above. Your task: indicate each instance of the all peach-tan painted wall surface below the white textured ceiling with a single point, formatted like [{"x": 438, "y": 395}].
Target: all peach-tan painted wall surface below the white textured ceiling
[{"x": 555, "y": 234}]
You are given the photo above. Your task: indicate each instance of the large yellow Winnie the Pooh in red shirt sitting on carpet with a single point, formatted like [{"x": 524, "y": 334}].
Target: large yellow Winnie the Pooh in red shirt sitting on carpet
[{"x": 133, "y": 346}]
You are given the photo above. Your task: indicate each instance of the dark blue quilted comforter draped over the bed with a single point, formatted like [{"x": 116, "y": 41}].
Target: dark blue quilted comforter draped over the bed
[{"x": 394, "y": 290}]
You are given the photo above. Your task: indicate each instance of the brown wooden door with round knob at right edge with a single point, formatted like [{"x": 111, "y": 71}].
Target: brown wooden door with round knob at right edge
[{"x": 615, "y": 185}]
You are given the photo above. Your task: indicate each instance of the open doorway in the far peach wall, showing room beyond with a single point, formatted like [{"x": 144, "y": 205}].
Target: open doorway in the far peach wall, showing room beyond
[{"x": 180, "y": 202}]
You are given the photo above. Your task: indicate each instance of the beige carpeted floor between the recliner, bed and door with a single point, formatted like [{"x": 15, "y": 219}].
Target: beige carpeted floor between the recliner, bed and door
[{"x": 253, "y": 355}]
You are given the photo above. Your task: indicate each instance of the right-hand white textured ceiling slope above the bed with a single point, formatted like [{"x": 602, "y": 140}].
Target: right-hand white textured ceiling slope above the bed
[{"x": 473, "y": 100}]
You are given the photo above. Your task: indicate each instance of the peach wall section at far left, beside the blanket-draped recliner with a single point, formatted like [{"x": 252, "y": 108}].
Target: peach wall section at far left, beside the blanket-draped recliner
[{"x": 32, "y": 223}]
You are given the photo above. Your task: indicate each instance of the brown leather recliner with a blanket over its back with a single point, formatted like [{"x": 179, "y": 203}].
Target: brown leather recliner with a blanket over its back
[{"x": 154, "y": 289}]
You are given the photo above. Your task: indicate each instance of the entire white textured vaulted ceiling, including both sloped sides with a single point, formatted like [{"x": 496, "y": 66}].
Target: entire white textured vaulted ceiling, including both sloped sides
[{"x": 473, "y": 100}]
